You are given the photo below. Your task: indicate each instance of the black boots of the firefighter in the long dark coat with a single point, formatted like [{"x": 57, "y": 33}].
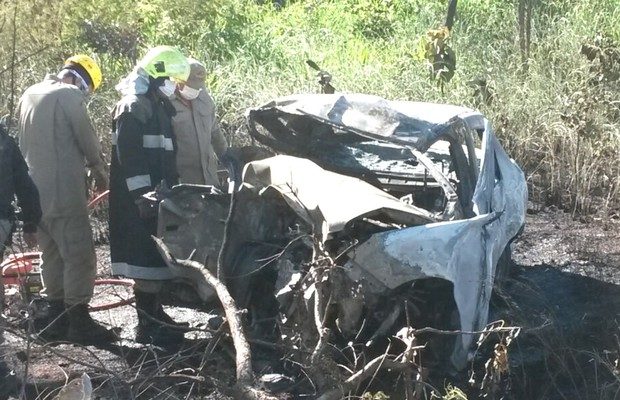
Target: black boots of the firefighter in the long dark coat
[{"x": 150, "y": 329}]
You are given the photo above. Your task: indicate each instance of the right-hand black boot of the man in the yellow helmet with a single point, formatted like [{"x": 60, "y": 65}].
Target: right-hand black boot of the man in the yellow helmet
[{"x": 83, "y": 329}]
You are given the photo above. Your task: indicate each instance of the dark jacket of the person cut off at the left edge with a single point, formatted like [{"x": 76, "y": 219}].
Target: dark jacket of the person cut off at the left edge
[{"x": 15, "y": 181}]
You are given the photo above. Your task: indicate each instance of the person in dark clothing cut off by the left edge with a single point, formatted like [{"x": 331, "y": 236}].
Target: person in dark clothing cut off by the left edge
[{"x": 15, "y": 181}]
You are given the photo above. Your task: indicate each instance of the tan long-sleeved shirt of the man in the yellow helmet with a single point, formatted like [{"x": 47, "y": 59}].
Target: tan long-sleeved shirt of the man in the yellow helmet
[{"x": 57, "y": 140}]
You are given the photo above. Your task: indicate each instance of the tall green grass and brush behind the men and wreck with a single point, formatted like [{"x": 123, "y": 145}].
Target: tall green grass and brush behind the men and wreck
[{"x": 556, "y": 106}]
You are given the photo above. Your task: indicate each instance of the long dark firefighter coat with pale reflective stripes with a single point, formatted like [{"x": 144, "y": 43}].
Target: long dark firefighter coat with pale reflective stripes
[{"x": 143, "y": 154}]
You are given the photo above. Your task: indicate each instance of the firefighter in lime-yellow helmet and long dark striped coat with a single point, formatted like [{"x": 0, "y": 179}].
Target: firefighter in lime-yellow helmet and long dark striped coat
[{"x": 143, "y": 157}]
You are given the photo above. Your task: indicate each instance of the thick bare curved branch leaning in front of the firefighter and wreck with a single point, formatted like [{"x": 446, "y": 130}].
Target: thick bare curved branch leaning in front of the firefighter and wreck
[{"x": 243, "y": 358}]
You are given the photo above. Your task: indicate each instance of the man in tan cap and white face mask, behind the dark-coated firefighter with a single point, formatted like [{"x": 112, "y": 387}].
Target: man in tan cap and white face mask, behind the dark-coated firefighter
[{"x": 200, "y": 141}]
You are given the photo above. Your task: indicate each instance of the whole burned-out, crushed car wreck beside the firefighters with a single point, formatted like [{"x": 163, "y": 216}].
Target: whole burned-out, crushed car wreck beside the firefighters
[{"x": 346, "y": 211}]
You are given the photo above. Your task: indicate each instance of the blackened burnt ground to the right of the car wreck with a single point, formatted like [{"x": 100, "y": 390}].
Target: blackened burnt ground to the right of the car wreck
[{"x": 565, "y": 292}]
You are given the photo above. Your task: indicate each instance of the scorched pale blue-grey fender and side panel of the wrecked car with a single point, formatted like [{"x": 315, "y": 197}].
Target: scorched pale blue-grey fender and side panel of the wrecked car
[{"x": 464, "y": 252}]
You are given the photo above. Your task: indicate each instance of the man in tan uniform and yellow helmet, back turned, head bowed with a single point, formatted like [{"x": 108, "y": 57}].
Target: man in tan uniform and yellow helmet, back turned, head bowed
[{"x": 58, "y": 141}]
